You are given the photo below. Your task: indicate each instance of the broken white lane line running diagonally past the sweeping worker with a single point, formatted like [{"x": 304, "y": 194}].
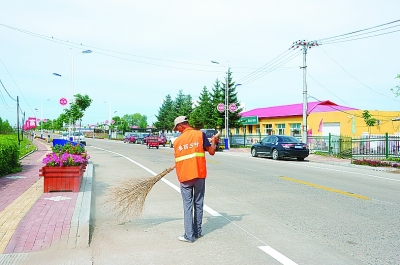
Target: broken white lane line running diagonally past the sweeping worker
[{"x": 267, "y": 249}]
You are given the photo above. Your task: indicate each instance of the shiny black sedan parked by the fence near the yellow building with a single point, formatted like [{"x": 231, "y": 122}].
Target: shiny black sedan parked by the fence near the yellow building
[{"x": 280, "y": 146}]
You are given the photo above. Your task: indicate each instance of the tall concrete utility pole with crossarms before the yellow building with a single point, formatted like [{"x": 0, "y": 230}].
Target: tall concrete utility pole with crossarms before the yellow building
[{"x": 305, "y": 45}]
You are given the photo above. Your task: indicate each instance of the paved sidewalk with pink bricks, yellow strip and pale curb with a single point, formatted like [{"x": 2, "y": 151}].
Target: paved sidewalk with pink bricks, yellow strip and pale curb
[{"x": 31, "y": 221}]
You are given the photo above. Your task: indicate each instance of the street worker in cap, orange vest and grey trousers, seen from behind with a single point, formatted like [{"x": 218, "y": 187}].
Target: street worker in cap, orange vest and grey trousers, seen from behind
[{"x": 191, "y": 169}]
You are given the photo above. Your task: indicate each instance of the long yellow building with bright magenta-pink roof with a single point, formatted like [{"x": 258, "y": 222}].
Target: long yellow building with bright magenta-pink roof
[{"x": 323, "y": 118}]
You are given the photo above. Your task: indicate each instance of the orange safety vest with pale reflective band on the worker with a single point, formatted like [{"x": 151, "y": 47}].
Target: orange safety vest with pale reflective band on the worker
[{"x": 190, "y": 160}]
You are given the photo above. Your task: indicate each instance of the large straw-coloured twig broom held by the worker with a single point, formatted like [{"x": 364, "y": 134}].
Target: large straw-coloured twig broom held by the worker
[{"x": 129, "y": 197}]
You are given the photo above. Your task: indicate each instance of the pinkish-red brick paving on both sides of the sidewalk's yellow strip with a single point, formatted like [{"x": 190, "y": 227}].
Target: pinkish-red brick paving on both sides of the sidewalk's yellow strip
[{"x": 48, "y": 222}]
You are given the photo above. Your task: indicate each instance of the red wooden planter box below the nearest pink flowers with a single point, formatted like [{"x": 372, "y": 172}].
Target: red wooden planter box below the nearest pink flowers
[{"x": 62, "y": 178}]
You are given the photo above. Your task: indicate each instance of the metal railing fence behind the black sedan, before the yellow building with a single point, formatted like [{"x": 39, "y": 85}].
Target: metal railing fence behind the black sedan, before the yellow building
[{"x": 381, "y": 146}]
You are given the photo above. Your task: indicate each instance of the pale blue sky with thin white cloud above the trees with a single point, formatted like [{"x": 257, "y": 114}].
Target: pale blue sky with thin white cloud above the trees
[{"x": 143, "y": 51}]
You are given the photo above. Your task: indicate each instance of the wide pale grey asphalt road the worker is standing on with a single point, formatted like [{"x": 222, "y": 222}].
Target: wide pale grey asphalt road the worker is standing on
[{"x": 258, "y": 211}]
